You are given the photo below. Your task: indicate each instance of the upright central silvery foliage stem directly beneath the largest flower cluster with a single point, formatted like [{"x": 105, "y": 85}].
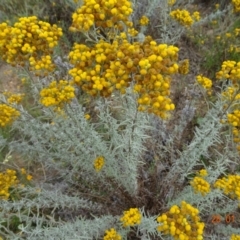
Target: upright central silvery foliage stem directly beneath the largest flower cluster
[{"x": 126, "y": 132}]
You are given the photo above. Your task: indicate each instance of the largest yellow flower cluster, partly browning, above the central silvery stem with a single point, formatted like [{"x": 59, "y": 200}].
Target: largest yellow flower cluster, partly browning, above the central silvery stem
[{"x": 105, "y": 67}]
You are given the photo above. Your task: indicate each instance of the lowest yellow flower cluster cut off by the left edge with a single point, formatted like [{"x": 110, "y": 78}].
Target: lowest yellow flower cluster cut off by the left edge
[{"x": 7, "y": 180}]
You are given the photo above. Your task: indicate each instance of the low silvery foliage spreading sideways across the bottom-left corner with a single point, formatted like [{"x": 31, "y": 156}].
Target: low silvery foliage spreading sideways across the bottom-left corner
[{"x": 30, "y": 208}]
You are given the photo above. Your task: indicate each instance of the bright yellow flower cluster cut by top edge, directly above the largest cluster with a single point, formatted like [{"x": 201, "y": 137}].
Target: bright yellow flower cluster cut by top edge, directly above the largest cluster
[{"x": 105, "y": 14}]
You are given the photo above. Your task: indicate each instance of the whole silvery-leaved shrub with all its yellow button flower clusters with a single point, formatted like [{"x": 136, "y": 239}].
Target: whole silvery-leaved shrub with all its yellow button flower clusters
[{"x": 107, "y": 157}]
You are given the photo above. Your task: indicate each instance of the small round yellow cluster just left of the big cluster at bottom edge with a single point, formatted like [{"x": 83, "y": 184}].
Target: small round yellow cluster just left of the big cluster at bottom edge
[{"x": 131, "y": 217}]
